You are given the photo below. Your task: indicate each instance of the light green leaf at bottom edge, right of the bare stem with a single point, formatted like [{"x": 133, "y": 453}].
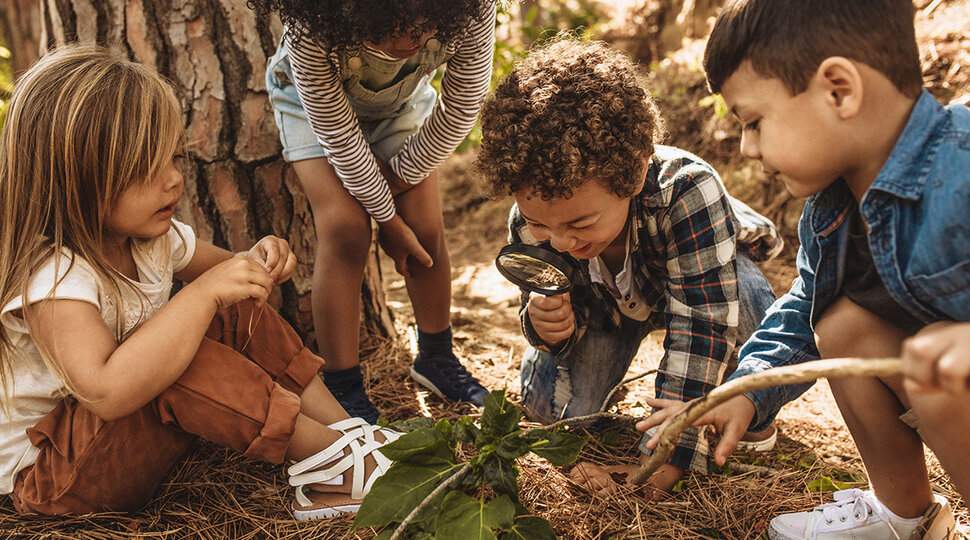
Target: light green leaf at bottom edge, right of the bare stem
[{"x": 465, "y": 518}]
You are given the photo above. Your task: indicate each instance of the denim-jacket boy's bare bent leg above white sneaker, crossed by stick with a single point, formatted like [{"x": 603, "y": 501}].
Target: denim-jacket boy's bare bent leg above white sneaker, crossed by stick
[{"x": 892, "y": 451}]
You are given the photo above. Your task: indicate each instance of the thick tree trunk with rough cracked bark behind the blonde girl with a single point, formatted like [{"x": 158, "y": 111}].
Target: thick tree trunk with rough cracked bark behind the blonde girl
[{"x": 214, "y": 52}]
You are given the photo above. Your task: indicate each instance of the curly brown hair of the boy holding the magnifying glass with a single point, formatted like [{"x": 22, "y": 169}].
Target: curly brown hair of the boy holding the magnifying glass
[{"x": 569, "y": 112}]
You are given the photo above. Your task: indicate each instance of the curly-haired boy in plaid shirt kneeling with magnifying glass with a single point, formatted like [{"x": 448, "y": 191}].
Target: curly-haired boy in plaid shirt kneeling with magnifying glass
[{"x": 569, "y": 134}]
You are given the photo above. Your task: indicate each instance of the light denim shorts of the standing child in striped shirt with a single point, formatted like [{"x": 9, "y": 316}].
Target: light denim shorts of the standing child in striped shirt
[{"x": 386, "y": 135}]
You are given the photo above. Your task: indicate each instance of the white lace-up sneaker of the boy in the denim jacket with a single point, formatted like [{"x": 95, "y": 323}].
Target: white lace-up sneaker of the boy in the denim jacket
[{"x": 858, "y": 515}]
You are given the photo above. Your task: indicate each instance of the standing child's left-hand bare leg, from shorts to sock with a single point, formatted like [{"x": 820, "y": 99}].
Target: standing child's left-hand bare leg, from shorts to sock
[{"x": 343, "y": 232}]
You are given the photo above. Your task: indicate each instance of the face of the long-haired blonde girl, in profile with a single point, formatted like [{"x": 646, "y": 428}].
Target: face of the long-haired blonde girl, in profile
[{"x": 145, "y": 210}]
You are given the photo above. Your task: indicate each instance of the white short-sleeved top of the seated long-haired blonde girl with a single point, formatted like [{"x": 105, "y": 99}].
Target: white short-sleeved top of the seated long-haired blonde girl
[{"x": 35, "y": 390}]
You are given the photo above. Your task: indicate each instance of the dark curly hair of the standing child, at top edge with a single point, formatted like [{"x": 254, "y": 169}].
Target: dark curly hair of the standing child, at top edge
[{"x": 342, "y": 24}]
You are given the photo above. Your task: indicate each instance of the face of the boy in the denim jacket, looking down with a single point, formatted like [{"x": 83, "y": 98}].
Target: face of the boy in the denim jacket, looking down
[{"x": 794, "y": 137}]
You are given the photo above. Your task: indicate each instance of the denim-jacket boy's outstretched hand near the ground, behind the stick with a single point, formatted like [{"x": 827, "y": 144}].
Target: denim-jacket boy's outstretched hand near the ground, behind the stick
[{"x": 731, "y": 420}]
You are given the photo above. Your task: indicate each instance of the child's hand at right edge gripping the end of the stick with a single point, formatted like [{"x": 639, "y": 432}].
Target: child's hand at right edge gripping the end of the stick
[{"x": 937, "y": 359}]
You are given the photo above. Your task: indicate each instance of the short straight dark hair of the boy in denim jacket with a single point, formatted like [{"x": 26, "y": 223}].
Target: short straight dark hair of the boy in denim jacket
[{"x": 788, "y": 39}]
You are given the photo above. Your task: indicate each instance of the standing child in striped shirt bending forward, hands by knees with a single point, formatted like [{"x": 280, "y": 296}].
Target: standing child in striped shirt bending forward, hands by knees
[{"x": 365, "y": 132}]
